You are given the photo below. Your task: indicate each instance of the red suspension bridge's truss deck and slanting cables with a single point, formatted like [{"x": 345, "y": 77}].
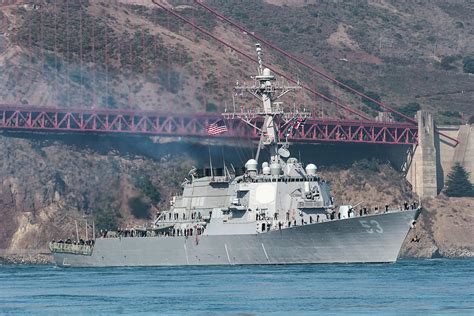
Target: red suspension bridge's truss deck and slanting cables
[{"x": 362, "y": 130}]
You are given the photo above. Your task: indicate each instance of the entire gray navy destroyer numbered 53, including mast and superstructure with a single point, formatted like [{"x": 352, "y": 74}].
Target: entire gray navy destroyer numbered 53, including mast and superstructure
[{"x": 275, "y": 212}]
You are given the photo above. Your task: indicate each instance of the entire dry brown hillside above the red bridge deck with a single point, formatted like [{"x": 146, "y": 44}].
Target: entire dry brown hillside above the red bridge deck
[{"x": 131, "y": 55}]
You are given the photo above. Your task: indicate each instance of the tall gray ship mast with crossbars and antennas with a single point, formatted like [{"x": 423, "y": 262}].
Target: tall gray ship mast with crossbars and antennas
[{"x": 265, "y": 90}]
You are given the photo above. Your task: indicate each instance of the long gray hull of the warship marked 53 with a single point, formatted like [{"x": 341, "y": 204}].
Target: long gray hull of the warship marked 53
[{"x": 366, "y": 239}]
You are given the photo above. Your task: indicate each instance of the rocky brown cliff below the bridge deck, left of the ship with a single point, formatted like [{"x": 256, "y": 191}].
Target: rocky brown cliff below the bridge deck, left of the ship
[{"x": 47, "y": 185}]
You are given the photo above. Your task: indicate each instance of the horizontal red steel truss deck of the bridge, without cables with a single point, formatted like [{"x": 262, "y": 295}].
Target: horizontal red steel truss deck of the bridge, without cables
[{"x": 194, "y": 125}]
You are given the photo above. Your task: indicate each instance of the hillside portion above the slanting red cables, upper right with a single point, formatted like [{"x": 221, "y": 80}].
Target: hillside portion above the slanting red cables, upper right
[{"x": 402, "y": 51}]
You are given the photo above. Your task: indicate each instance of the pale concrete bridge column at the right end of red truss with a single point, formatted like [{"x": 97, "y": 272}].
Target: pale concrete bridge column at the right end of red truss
[{"x": 424, "y": 172}]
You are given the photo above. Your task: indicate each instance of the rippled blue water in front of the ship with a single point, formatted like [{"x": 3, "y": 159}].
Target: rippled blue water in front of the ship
[{"x": 421, "y": 287}]
